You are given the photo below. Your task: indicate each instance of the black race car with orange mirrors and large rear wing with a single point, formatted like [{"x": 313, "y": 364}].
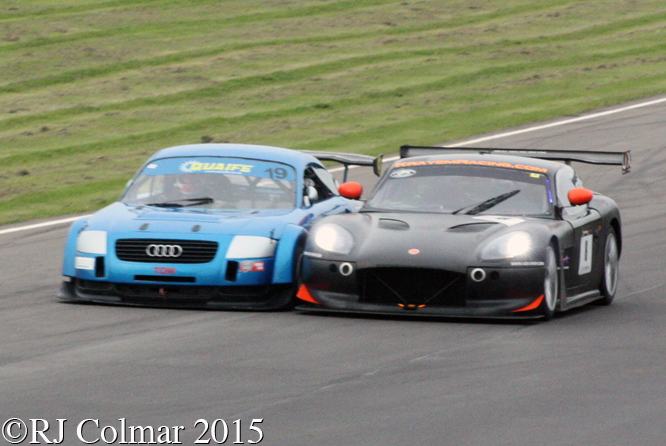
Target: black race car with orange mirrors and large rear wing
[{"x": 470, "y": 232}]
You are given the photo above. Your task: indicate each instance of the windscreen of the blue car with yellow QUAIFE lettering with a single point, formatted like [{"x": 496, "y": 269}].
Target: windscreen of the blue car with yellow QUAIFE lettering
[{"x": 214, "y": 183}]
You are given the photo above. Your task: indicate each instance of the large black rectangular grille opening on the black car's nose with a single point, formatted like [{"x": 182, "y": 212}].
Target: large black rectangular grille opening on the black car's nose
[{"x": 411, "y": 286}]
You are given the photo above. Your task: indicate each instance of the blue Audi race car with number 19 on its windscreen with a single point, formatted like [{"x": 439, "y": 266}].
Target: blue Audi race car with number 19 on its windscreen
[{"x": 208, "y": 225}]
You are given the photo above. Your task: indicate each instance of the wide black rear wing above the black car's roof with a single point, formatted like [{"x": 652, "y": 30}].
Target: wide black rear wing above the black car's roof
[{"x": 608, "y": 158}]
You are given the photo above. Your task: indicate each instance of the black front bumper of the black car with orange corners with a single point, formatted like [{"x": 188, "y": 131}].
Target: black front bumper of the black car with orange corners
[{"x": 423, "y": 291}]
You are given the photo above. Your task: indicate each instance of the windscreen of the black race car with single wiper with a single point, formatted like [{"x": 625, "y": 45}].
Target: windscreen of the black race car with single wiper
[{"x": 464, "y": 189}]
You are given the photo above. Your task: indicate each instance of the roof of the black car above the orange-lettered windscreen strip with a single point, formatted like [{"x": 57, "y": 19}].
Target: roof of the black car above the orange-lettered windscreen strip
[{"x": 490, "y": 160}]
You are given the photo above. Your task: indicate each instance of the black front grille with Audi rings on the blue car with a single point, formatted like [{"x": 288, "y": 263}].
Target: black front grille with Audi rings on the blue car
[{"x": 193, "y": 251}]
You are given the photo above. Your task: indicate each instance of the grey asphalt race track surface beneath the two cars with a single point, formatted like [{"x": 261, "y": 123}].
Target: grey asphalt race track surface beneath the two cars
[{"x": 593, "y": 376}]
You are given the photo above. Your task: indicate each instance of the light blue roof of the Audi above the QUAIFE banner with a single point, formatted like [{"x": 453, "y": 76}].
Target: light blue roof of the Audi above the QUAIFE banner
[{"x": 268, "y": 153}]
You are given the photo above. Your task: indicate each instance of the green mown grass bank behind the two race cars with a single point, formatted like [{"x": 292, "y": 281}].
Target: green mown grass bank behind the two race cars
[{"x": 88, "y": 89}]
